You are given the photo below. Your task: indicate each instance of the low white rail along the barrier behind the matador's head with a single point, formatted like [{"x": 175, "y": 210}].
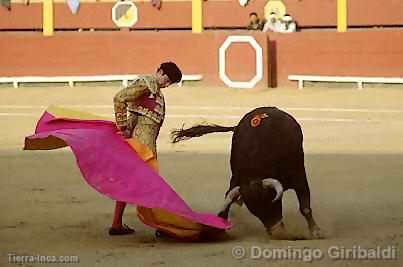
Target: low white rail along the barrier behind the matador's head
[{"x": 72, "y": 79}]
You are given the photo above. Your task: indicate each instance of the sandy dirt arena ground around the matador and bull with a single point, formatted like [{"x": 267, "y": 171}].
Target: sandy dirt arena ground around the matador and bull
[{"x": 353, "y": 141}]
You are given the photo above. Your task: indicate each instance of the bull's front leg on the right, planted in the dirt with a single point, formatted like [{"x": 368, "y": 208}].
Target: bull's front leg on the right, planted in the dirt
[{"x": 304, "y": 199}]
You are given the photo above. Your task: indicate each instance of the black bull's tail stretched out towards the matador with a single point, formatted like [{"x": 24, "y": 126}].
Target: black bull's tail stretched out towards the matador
[{"x": 198, "y": 130}]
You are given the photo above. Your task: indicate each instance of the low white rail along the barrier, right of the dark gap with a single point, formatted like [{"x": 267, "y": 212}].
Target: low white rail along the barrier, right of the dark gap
[{"x": 359, "y": 80}]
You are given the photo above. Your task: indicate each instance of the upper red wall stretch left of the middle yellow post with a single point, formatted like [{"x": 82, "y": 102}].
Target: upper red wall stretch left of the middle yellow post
[{"x": 96, "y": 15}]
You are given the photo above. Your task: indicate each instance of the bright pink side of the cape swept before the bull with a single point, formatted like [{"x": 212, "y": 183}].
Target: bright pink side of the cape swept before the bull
[{"x": 112, "y": 167}]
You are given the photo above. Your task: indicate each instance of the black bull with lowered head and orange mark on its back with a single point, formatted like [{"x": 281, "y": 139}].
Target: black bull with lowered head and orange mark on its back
[{"x": 267, "y": 158}]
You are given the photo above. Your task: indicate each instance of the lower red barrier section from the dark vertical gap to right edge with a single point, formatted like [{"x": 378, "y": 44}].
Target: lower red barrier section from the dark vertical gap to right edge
[{"x": 363, "y": 53}]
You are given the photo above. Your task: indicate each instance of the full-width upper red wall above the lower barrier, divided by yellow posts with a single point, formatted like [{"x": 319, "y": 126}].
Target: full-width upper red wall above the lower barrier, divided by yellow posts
[{"x": 217, "y": 13}]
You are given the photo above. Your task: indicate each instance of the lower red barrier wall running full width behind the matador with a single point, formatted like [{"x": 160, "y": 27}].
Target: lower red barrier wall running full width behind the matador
[{"x": 364, "y": 53}]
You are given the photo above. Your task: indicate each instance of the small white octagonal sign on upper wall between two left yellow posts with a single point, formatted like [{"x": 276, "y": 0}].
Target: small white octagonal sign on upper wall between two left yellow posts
[{"x": 124, "y": 14}]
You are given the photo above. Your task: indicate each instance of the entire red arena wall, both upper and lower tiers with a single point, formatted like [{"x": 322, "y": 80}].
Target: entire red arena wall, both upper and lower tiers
[{"x": 375, "y": 52}]
